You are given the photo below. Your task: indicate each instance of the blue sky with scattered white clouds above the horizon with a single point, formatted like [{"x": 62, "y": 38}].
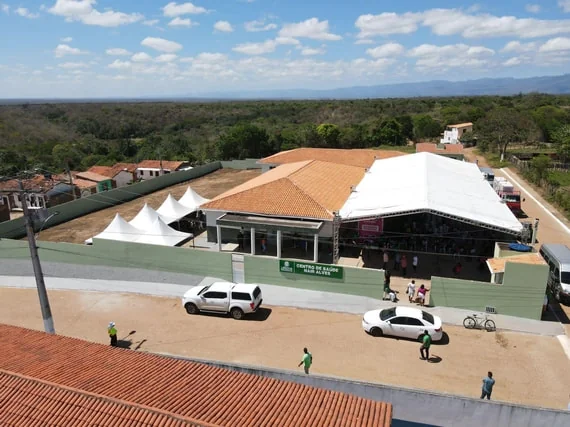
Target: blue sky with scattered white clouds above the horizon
[{"x": 88, "y": 48}]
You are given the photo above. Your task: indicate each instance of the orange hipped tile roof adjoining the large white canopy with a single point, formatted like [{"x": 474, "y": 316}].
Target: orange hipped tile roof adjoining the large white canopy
[{"x": 309, "y": 189}]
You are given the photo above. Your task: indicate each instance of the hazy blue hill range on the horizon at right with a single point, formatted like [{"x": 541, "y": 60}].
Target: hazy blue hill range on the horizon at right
[{"x": 434, "y": 88}]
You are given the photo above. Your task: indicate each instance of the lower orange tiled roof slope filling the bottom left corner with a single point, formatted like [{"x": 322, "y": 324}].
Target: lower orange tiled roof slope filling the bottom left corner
[{"x": 27, "y": 400}]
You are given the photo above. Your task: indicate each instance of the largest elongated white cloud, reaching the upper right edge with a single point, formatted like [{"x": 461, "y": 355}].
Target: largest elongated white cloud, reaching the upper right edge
[{"x": 448, "y": 22}]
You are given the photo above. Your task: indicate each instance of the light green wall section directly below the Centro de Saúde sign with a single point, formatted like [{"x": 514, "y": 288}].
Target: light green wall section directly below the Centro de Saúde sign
[{"x": 356, "y": 281}]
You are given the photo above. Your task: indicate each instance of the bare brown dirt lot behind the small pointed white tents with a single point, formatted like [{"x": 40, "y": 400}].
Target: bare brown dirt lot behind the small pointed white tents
[{"x": 209, "y": 186}]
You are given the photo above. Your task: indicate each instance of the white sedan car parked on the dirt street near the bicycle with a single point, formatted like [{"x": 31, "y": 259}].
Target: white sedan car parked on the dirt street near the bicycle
[{"x": 405, "y": 322}]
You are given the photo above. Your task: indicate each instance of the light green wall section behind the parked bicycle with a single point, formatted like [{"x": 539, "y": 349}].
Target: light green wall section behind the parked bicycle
[{"x": 521, "y": 294}]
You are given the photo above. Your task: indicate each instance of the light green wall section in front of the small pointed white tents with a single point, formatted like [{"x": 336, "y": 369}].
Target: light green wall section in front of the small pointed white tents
[{"x": 126, "y": 255}]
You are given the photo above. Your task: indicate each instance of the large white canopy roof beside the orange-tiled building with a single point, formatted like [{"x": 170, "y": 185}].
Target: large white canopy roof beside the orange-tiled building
[{"x": 426, "y": 182}]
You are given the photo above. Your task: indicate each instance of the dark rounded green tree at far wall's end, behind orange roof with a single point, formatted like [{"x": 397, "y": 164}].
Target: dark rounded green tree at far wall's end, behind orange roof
[{"x": 244, "y": 141}]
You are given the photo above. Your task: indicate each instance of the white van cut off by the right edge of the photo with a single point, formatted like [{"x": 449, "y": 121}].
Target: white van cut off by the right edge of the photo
[{"x": 558, "y": 259}]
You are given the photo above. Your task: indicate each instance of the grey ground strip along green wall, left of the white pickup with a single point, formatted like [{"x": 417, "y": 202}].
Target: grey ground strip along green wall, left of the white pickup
[{"x": 94, "y": 272}]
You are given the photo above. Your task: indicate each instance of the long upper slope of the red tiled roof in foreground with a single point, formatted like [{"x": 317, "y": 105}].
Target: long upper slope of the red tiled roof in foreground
[{"x": 204, "y": 393}]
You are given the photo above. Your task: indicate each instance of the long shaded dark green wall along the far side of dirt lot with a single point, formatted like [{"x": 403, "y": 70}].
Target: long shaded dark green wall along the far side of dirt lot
[{"x": 67, "y": 211}]
